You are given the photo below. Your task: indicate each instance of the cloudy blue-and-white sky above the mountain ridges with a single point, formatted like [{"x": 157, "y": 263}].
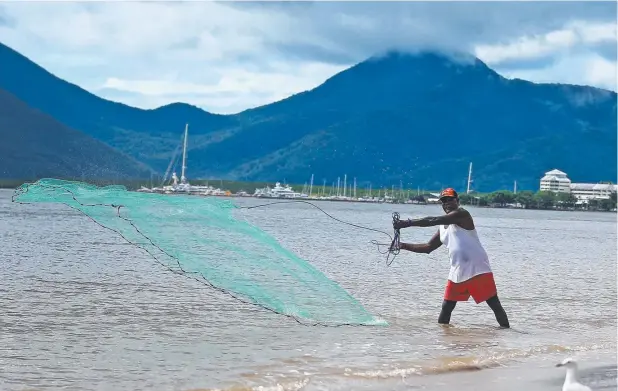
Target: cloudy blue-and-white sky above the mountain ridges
[{"x": 226, "y": 57}]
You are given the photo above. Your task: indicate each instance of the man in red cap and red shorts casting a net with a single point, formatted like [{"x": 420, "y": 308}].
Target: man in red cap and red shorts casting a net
[{"x": 470, "y": 273}]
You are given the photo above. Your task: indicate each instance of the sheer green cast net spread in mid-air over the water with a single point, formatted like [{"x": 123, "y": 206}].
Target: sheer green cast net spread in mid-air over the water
[{"x": 199, "y": 237}]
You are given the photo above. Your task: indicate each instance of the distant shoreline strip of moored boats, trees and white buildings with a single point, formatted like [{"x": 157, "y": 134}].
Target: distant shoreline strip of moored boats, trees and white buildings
[{"x": 562, "y": 194}]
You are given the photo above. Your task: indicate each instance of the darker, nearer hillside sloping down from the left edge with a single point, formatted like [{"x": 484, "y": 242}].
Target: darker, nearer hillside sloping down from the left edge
[{"x": 35, "y": 145}]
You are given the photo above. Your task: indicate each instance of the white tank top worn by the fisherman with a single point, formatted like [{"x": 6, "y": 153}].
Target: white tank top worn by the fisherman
[{"x": 468, "y": 257}]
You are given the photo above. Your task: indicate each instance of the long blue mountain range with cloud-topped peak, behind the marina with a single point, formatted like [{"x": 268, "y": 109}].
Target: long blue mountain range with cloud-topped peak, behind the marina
[{"x": 419, "y": 118}]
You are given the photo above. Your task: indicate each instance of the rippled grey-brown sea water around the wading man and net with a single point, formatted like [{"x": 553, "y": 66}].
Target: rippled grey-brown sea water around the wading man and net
[{"x": 83, "y": 310}]
